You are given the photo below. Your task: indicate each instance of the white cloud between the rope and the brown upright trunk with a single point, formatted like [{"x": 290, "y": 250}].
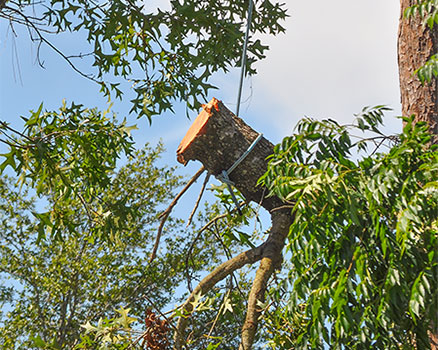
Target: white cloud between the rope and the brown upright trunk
[{"x": 335, "y": 58}]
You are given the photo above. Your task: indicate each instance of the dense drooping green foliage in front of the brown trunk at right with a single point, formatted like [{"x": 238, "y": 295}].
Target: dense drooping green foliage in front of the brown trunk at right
[{"x": 364, "y": 242}]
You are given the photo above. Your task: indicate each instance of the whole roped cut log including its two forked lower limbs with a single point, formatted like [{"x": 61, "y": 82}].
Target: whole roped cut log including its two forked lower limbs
[{"x": 218, "y": 138}]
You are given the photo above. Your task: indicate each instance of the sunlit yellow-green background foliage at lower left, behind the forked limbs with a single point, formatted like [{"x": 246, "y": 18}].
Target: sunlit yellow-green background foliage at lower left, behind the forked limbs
[{"x": 51, "y": 287}]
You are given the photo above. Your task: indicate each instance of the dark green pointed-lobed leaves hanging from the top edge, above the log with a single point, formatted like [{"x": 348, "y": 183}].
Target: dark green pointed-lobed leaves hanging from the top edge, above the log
[{"x": 166, "y": 55}]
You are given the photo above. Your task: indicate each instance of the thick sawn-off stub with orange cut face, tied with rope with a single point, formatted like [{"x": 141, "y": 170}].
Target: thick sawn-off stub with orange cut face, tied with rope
[{"x": 217, "y": 138}]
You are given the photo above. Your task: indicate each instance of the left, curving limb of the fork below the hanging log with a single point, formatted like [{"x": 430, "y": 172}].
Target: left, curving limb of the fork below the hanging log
[{"x": 217, "y": 275}]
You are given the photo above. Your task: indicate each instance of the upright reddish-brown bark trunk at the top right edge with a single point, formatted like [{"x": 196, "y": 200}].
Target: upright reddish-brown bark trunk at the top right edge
[{"x": 416, "y": 44}]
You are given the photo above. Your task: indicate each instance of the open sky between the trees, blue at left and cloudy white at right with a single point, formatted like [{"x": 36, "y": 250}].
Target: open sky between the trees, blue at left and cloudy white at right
[{"x": 335, "y": 58}]
